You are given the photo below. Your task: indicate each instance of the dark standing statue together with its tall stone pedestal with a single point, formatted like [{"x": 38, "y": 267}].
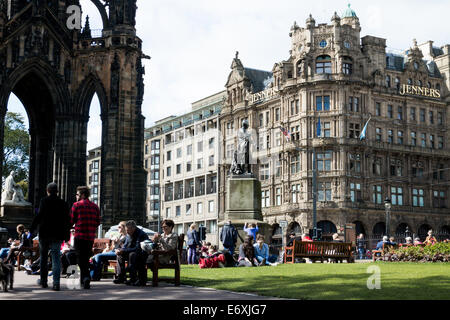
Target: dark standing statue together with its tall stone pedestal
[{"x": 243, "y": 190}]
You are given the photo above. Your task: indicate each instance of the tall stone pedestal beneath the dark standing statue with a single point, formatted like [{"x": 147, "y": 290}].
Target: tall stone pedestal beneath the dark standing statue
[{"x": 243, "y": 205}]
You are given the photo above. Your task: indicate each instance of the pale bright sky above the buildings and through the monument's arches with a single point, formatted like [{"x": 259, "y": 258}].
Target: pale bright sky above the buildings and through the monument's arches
[{"x": 192, "y": 43}]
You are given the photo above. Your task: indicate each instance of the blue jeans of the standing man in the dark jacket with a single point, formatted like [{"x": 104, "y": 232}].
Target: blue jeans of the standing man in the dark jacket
[{"x": 54, "y": 246}]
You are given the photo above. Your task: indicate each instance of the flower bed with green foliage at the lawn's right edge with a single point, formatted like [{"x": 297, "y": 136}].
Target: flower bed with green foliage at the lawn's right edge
[{"x": 439, "y": 252}]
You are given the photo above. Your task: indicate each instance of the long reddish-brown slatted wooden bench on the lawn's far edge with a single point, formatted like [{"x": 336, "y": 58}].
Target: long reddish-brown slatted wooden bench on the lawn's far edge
[{"x": 319, "y": 251}]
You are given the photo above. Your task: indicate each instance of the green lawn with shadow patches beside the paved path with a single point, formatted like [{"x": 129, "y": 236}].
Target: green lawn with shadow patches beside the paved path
[{"x": 429, "y": 281}]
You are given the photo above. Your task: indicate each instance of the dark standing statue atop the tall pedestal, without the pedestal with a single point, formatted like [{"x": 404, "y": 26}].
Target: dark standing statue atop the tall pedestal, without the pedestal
[{"x": 241, "y": 157}]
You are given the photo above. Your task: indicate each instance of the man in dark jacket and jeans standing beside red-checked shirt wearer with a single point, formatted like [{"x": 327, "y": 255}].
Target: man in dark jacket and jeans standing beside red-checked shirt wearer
[{"x": 53, "y": 220}]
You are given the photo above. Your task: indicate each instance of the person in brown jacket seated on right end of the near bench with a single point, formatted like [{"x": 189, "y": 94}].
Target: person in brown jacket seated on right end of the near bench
[{"x": 166, "y": 241}]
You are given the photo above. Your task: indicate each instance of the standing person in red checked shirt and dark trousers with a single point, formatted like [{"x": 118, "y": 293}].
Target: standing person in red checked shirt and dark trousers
[{"x": 85, "y": 216}]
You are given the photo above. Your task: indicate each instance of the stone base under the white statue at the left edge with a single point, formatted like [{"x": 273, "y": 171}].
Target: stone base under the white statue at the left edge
[{"x": 11, "y": 216}]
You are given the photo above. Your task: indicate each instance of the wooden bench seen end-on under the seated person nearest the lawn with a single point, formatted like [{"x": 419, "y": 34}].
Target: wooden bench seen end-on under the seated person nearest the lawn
[{"x": 173, "y": 264}]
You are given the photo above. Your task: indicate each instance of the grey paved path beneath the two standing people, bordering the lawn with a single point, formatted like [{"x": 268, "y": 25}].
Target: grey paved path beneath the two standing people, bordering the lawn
[{"x": 25, "y": 287}]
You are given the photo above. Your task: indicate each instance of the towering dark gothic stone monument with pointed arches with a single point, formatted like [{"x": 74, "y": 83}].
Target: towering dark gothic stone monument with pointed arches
[{"x": 55, "y": 72}]
